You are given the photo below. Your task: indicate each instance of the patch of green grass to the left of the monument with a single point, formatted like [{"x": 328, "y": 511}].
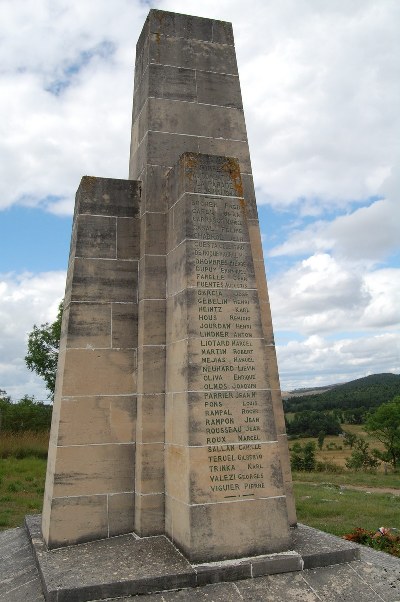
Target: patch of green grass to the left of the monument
[{"x": 21, "y": 489}]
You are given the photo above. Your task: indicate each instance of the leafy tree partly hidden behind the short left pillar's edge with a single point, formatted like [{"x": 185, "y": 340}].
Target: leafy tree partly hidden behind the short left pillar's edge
[{"x": 42, "y": 356}]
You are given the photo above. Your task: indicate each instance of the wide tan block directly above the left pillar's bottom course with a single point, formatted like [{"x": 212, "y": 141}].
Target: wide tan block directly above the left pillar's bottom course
[{"x": 94, "y": 469}]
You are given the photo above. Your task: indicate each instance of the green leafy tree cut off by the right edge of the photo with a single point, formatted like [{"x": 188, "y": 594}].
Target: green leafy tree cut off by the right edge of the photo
[{"x": 384, "y": 423}]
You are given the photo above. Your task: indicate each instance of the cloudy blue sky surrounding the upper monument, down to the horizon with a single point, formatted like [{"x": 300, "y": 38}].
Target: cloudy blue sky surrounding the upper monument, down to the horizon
[{"x": 321, "y": 92}]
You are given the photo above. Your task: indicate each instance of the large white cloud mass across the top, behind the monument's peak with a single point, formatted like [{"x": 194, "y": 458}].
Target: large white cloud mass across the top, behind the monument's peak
[{"x": 319, "y": 82}]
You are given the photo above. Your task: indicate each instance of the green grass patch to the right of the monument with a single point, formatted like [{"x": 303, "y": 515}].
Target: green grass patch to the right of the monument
[{"x": 327, "y": 507}]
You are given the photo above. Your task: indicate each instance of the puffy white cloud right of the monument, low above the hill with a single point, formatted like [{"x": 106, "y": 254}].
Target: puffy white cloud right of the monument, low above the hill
[{"x": 321, "y": 295}]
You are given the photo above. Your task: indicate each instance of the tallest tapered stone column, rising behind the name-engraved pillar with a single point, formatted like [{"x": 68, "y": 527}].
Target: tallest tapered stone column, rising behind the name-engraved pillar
[{"x": 187, "y": 98}]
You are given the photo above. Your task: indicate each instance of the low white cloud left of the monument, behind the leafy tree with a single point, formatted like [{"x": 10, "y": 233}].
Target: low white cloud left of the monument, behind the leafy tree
[{"x": 25, "y": 299}]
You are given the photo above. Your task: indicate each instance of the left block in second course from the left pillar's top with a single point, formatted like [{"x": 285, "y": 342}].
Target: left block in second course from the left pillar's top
[{"x": 96, "y": 236}]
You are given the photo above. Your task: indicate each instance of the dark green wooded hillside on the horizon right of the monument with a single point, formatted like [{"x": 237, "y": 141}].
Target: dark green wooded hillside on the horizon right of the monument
[{"x": 368, "y": 392}]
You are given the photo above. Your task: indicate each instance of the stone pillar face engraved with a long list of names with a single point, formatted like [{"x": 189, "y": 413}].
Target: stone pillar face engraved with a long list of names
[{"x": 217, "y": 347}]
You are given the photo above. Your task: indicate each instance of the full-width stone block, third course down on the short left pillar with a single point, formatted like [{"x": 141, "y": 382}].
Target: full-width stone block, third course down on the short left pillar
[{"x": 108, "y": 280}]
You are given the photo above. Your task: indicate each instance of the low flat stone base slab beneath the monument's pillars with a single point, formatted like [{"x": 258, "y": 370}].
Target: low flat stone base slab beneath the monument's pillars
[{"x": 129, "y": 565}]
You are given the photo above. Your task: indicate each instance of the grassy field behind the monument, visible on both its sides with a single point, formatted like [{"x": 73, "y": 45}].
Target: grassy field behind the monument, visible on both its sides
[{"x": 322, "y": 499}]
